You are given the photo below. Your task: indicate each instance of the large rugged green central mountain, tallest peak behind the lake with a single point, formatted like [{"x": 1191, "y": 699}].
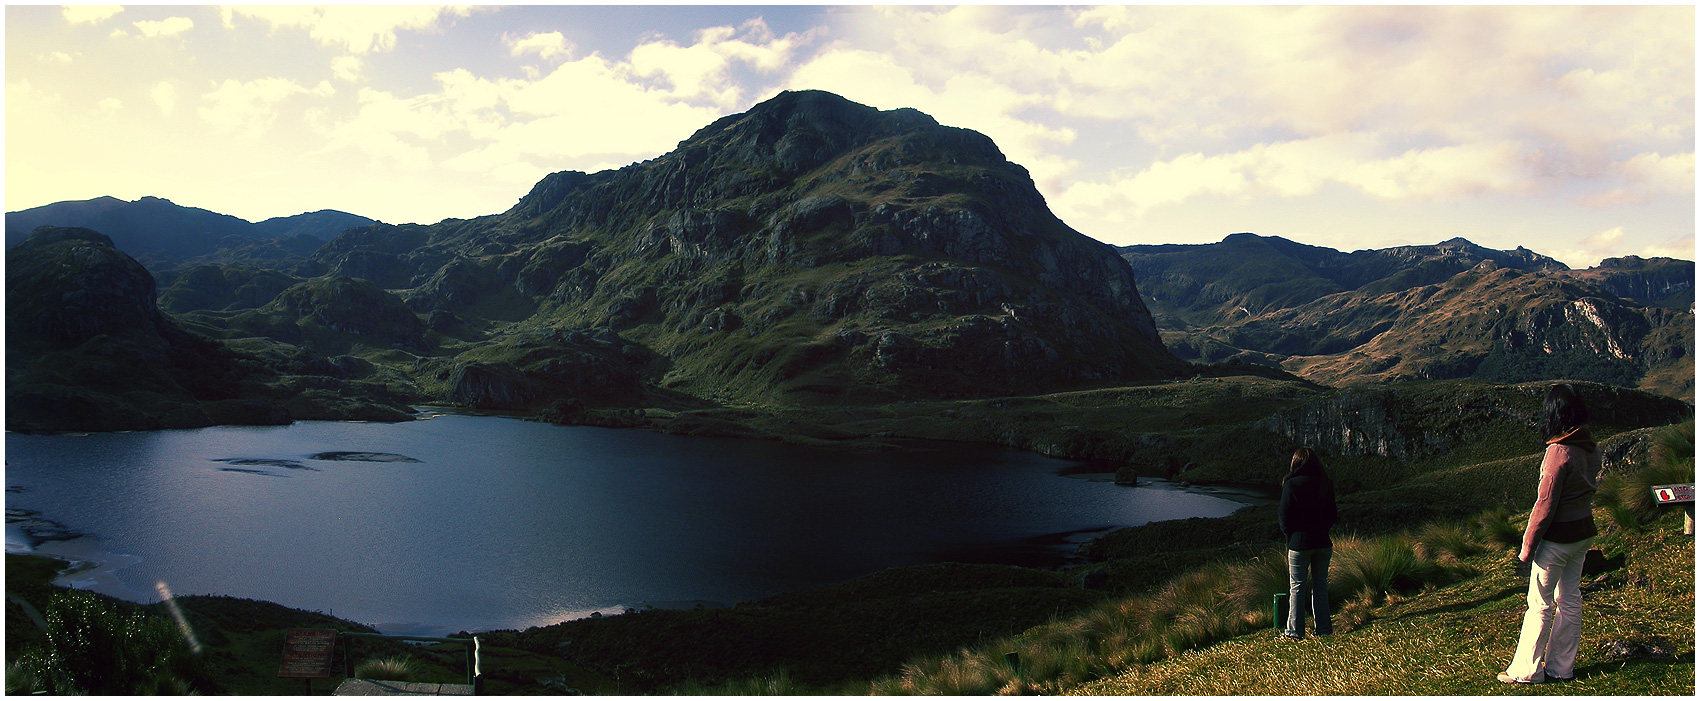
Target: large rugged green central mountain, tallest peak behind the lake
[{"x": 807, "y": 251}]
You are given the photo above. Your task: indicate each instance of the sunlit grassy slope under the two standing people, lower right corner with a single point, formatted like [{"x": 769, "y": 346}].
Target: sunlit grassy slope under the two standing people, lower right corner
[{"x": 1638, "y": 639}]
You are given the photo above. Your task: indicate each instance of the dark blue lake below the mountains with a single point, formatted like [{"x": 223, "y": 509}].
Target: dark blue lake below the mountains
[{"x": 501, "y": 523}]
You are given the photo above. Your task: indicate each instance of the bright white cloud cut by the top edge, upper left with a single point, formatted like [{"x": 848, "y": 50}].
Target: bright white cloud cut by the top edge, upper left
[{"x": 351, "y": 28}]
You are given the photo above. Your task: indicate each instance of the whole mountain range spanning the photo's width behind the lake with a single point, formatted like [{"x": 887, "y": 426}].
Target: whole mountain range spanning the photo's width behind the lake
[{"x": 822, "y": 253}]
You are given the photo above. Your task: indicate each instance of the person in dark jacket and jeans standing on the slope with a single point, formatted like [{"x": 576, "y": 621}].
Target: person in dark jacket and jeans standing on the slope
[{"x": 1306, "y": 515}]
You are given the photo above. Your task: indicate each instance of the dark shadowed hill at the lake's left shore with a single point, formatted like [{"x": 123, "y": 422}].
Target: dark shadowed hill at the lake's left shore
[{"x": 89, "y": 350}]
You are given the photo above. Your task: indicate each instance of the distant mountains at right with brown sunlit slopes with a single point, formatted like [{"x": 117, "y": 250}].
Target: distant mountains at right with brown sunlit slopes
[{"x": 1451, "y": 311}]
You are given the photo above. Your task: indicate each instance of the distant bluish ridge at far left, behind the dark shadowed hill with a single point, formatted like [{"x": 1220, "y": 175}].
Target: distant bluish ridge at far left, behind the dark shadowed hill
[{"x": 166, "y": 236}]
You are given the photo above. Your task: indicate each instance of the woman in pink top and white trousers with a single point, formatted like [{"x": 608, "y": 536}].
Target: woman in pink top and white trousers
[{"x": 1558, "y": 539}]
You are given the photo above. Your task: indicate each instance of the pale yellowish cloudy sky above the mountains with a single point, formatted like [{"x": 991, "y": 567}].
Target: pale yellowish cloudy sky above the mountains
[{"x": 1567, "y": 130}]
